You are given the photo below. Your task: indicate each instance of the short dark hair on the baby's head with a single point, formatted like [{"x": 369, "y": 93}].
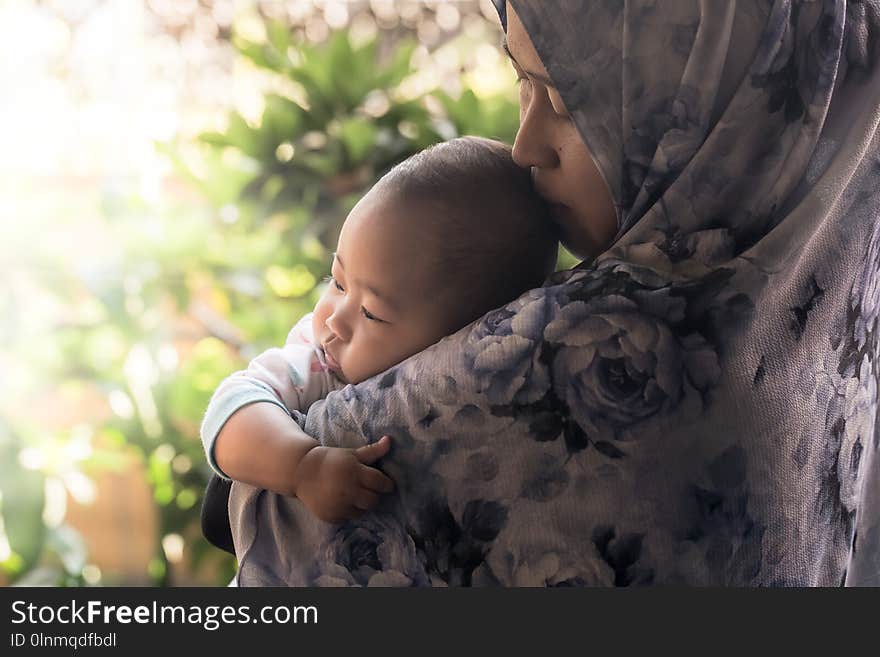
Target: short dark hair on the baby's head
[{"x": 488, "y": 230}]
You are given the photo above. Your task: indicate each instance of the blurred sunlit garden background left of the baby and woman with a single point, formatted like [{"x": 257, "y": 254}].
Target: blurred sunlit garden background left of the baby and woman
[{"x": 173, "y": 175}]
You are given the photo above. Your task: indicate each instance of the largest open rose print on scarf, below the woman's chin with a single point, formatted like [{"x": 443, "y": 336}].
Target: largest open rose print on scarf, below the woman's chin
[{"x": 617, "y": 362}]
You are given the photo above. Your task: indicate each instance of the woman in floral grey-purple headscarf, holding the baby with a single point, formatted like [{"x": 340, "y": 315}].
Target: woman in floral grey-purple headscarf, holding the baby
[{"x": 696, "y": 402}]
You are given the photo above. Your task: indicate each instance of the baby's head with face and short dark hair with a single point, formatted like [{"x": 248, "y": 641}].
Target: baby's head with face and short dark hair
[{"x": 443, "y": 238}]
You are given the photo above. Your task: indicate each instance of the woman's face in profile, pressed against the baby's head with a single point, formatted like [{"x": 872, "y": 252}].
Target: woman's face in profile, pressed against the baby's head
[{"x": 549, "y": 142}]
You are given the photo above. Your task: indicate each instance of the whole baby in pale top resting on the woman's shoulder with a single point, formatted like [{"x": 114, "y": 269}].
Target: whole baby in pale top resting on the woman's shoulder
[{"x": 446, "y": 236}]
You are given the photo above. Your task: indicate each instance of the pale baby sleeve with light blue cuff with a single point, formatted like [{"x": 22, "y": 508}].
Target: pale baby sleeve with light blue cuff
[{"x": 292, "y": 377}]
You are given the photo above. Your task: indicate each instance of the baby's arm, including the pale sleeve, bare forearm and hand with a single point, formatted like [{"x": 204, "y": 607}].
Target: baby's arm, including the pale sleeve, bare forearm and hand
[{"x": 249, "y": 435}]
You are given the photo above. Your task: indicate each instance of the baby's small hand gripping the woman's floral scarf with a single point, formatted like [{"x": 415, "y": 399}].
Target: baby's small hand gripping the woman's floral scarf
[{"x": 337, "y": 484}]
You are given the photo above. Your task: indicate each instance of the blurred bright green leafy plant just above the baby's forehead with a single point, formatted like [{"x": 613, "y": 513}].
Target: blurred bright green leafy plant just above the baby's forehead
[{"x": 343, "y": 129}]
